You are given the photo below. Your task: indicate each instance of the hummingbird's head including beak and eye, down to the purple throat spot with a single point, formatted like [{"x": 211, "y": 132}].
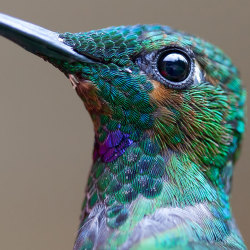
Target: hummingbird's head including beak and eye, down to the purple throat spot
[{"x": 148, "y": 81}]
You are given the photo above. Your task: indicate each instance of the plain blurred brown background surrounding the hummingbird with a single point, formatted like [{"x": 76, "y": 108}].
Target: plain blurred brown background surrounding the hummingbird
[{"x": 46, "y": 135}]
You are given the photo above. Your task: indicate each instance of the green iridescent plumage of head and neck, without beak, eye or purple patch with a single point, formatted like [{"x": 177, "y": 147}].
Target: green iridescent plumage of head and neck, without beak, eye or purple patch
[{"x": 183, "y": 141}]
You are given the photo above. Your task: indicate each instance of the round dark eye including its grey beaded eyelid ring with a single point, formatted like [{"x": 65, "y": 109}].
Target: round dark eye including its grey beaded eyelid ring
[{"x": 181, "y": 67}]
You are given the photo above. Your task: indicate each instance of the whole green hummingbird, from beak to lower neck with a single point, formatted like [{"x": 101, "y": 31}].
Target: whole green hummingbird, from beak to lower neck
[{"x": 168, "y": 115}]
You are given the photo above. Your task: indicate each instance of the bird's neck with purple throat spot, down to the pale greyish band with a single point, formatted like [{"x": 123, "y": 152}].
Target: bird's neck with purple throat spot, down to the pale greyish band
[{"x": 125, "y": 170}]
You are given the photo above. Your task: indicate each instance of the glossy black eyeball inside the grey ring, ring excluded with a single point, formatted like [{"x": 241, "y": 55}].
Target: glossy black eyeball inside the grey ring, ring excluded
[{"x": 174, "y": 66}]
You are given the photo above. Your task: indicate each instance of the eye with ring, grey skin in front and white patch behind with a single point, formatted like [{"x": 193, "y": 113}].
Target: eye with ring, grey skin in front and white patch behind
[{"x": 173, "y": 66}]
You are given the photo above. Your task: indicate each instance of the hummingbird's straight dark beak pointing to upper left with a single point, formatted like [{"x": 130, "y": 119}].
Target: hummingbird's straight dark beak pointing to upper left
[{"x": 37, "y": 40}]
